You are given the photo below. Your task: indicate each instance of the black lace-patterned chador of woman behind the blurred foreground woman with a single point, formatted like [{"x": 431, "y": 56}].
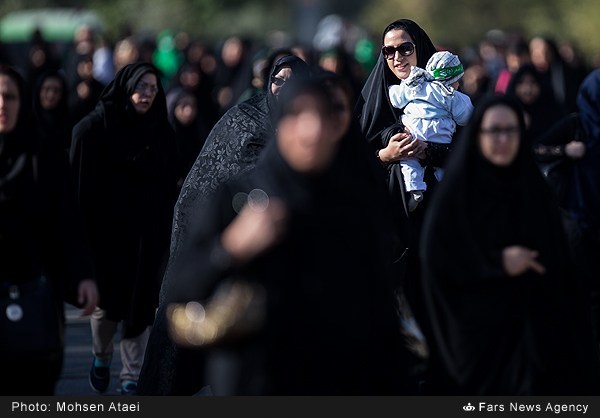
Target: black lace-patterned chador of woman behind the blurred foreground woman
[{"x": 233, "y": 146}]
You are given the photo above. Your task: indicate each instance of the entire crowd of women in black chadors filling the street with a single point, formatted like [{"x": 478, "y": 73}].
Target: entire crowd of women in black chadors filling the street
[{"x": 252, "y": 217}]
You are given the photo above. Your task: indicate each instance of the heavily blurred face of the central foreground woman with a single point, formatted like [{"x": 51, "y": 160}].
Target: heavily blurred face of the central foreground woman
[{"x": 307, "y": 136}]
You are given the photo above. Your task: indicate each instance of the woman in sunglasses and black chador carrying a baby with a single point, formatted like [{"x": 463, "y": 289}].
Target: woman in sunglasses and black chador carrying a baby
[{"x": 404, "y": 45}]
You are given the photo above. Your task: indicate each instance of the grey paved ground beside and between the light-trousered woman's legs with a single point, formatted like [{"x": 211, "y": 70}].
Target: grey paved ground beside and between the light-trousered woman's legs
[{"x": 78, "y": 359}]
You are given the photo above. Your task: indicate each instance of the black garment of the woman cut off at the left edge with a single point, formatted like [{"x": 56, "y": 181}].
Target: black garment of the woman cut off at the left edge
[{"x": 38, "y": 237}]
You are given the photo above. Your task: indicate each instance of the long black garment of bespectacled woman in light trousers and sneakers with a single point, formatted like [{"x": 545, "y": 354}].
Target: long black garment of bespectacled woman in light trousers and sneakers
[{"x": 125, "y": 169}]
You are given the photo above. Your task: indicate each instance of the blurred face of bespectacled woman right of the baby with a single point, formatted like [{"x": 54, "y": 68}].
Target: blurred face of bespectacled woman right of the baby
[{"x": 499, "y": 135}]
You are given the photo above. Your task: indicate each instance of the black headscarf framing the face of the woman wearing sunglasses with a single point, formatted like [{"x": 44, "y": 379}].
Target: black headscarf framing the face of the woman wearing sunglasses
[{"x": 373, "y": 109}]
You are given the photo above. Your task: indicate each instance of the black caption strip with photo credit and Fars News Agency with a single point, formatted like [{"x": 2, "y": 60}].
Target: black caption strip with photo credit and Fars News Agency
[{"x": 291, "y": 407}]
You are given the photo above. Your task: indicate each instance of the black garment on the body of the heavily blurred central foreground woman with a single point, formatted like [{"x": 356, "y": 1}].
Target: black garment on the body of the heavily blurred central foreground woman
[{"x": 331, "y": 324}]
